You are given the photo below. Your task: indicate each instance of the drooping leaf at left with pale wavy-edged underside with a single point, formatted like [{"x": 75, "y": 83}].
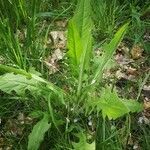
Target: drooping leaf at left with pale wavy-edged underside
[{"x": 22, "y": 81}]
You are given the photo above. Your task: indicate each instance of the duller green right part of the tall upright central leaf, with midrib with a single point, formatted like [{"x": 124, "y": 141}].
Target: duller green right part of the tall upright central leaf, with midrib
[{"x": 82, "y": 19}]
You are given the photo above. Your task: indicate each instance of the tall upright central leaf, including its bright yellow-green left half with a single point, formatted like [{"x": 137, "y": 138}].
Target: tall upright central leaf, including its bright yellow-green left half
[{"x": 79, "y": 35}]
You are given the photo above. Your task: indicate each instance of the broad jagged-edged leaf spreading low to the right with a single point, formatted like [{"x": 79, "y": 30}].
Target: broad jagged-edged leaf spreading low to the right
[{"x": 112, "y": 106}]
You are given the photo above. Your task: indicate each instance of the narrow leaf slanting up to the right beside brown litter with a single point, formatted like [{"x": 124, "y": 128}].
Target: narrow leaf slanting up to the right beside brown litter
[{"x": 109, "y": 50}]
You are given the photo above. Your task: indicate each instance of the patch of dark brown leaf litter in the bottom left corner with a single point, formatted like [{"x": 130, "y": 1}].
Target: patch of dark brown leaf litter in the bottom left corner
[{"x": 14, "y": 128}]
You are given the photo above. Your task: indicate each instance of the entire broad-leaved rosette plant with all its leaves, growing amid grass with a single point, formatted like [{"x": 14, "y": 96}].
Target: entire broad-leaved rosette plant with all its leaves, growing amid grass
[{"x": 86, "y": 97}]
